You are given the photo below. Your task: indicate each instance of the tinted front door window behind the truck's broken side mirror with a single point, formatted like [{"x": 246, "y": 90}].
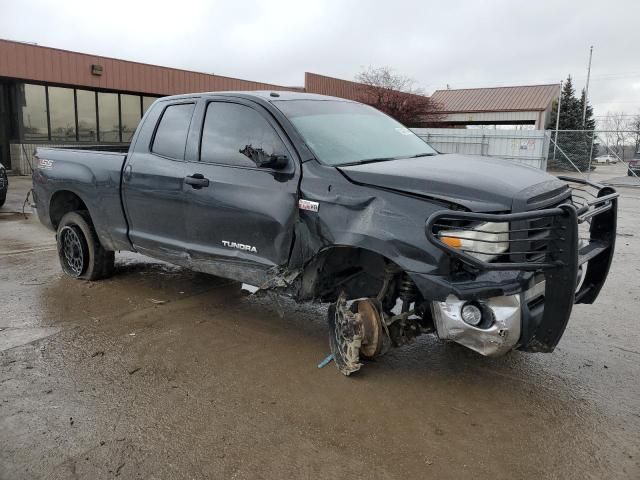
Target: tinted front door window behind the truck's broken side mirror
[{"x": 229, "y": 128}]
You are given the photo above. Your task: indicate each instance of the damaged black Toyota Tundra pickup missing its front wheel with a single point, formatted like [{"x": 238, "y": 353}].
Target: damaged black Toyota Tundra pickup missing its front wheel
[{"x": 325, "y": 199}]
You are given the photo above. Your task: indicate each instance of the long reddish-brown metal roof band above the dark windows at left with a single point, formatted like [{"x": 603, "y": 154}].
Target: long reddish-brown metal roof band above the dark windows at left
[{"x": 52, "y": 65}]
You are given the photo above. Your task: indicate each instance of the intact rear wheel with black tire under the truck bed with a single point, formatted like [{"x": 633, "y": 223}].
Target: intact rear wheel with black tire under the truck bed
[{"x": 79, "y": 250}]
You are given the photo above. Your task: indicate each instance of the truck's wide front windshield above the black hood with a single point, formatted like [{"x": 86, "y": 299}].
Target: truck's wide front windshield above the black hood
[{"x": 341, "y": 133}]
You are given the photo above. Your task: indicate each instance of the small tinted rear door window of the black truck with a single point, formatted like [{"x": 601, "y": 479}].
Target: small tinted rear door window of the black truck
[{"x": 171, "y": 135}]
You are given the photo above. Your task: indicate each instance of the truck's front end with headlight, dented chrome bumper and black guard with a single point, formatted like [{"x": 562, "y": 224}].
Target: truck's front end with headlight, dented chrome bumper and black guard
[{"x": 552, "y": 258}]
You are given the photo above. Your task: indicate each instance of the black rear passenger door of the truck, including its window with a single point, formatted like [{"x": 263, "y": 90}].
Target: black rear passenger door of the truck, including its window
[{"x": 153, "y": 180}]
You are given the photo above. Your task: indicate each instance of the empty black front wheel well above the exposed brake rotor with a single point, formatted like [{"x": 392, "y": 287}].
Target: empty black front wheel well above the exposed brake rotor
[{"x": 358, "y": 272}]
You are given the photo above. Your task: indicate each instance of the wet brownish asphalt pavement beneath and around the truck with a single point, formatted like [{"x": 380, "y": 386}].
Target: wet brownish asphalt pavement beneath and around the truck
[{"x": 161, "y": 373}]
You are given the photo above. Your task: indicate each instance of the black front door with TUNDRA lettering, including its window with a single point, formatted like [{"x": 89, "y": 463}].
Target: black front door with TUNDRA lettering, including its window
[{"x": 240, "y": 219}]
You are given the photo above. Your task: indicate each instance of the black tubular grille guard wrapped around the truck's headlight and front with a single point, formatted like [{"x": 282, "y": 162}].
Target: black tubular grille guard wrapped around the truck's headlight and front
[{"x": 544, "y": 323}]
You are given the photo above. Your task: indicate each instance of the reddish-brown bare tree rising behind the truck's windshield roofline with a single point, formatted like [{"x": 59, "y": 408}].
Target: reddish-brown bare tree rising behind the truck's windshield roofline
[{"x": 397, "y": 96}]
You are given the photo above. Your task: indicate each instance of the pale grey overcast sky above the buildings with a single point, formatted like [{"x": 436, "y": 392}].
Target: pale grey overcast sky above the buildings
[{"x": 461, "y": 43}]
